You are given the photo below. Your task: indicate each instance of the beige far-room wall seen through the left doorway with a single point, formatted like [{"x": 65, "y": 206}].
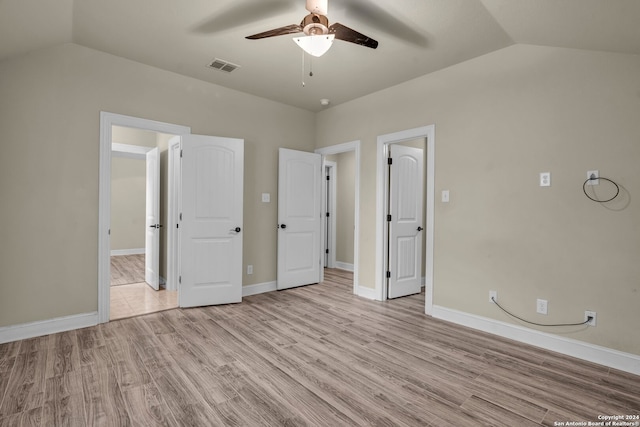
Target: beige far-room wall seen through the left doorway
[{"x": 128, "y": 203}]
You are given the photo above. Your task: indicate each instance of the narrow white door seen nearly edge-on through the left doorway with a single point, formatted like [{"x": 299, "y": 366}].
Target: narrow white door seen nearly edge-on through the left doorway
[{"x": 152, "y": 234}]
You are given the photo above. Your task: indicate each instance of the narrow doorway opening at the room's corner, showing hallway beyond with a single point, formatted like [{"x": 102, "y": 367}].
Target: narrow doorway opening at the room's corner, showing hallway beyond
[{"x": 341, "y": 204}]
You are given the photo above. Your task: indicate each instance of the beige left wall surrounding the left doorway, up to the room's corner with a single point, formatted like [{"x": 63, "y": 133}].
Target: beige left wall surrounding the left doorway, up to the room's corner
[{"x": 50, "y": 124}]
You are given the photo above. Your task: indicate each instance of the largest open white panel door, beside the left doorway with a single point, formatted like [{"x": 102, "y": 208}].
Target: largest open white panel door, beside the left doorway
[{"x": 211, "y": 225}]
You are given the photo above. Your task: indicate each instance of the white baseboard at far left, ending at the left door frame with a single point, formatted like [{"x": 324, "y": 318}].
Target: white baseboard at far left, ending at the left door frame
[{"x": 46, "y": 327}]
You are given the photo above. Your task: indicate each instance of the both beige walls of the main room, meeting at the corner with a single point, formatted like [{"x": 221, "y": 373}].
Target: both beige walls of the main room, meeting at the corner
[{"x": 500, "y": 120}]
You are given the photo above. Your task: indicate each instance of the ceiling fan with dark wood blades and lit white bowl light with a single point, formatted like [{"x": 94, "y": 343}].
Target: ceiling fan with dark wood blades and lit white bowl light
[{"x": 319, "y": 35}]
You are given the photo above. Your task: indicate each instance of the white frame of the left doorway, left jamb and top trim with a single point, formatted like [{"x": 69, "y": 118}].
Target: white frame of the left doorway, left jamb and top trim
[{"x": 107, "y": 120}]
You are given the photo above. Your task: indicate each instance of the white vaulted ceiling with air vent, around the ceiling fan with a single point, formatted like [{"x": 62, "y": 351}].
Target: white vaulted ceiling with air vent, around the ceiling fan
[{"x": 416, "y": 37}]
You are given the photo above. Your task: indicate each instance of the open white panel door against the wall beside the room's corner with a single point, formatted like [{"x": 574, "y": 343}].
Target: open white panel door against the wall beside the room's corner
[{"x": 299, "y": 218}]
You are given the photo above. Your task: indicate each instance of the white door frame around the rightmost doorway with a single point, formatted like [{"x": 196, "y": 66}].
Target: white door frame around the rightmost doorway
[{"x": 384, "y": 141}]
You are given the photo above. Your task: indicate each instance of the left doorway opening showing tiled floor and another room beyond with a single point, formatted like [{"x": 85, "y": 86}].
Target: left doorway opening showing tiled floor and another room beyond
[{"x": 138, "y": 174}]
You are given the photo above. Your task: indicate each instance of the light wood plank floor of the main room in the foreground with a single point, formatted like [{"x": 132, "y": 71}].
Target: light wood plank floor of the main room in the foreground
[{"x": 315, "y": 356}]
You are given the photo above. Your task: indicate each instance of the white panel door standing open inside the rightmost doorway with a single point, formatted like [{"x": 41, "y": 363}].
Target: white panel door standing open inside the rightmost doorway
[{"x": 405, "y": 227}]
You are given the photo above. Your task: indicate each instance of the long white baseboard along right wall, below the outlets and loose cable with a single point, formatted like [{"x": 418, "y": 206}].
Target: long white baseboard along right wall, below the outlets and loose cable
[{"x": 581, "y": 350}]
